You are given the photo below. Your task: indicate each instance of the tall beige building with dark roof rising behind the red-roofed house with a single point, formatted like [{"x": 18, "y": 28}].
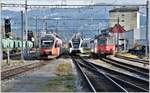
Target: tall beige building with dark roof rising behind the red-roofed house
[{"x": 129, "y": 17}]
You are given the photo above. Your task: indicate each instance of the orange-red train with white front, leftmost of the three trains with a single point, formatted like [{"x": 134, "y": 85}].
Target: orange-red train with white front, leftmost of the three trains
[{"x": 51, "y": 46}]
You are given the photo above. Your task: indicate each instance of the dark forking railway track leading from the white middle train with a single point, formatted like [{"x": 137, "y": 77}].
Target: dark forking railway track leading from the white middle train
[{"x": 111, "y": 80}]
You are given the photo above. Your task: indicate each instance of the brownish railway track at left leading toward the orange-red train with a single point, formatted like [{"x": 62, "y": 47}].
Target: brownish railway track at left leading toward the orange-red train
[{"x": 20, "y": 69}]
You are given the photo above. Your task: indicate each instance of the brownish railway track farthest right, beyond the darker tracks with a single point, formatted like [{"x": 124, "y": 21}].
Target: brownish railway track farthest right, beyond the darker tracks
[{"x": 133, "y": 59}]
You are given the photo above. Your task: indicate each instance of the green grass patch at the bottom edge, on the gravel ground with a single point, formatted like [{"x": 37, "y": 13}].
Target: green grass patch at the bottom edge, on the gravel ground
[{"x": 60, "y": 84}]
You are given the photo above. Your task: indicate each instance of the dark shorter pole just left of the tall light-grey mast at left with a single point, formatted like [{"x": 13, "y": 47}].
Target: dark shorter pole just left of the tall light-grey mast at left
[{"x": 22, "y": 36}]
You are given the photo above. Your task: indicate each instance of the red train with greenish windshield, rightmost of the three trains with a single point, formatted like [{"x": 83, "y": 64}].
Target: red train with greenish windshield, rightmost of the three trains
[{"x": 103, "y": 45}]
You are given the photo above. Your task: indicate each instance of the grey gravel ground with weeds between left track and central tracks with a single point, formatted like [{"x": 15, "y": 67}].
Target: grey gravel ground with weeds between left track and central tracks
[{"x": 44, "y": 79}]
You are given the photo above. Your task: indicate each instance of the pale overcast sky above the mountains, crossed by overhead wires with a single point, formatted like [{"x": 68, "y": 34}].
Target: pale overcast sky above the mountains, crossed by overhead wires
[{"x": 74, "y": 2}]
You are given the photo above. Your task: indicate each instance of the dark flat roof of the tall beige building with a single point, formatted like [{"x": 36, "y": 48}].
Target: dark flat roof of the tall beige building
[{"x": 125, "y": 9}]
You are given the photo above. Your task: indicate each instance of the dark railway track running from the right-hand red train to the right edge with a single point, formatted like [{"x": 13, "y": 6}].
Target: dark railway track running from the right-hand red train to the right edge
[{"x": 141, "y": 72}]
